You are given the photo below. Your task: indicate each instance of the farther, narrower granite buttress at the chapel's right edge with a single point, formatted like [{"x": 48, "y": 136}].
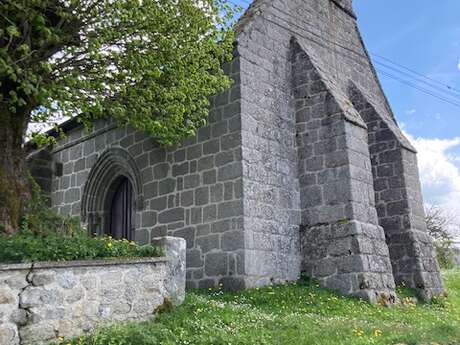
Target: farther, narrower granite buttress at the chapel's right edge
[{"x": 399, "y": 203}]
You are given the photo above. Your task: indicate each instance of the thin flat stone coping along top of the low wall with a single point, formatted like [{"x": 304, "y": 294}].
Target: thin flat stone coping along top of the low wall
[{"x": 82, "y": 263}]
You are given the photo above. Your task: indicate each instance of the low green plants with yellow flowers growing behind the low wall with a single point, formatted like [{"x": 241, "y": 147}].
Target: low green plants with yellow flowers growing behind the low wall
[{"x": 47, "y": 236}]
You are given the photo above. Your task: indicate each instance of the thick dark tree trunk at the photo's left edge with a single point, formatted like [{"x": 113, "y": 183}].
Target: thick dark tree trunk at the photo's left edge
[{"x": 15, "y": 191}]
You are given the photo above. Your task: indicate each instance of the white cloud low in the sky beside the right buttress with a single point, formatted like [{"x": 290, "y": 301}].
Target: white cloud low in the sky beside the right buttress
[{"x": 439, "y": 173}]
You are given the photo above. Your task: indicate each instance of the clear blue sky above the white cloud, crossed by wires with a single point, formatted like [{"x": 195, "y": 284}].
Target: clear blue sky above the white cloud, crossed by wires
[{"x": 424, "y": 36}]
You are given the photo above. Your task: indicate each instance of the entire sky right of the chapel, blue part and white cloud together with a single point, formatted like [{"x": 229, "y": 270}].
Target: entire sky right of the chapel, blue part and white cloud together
[{"x": 423, "y": 35}]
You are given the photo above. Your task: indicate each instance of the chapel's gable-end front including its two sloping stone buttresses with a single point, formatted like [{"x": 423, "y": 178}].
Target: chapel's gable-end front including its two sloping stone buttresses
[{"x": 310, "y": 158}]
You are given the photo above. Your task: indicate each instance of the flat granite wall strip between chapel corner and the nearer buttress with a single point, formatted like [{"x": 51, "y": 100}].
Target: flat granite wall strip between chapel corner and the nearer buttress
[{"x": 270, "y": 177}]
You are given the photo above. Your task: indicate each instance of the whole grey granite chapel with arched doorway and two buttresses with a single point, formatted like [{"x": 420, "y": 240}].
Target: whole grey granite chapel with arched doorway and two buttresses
[{"x": 301, "y": 168}]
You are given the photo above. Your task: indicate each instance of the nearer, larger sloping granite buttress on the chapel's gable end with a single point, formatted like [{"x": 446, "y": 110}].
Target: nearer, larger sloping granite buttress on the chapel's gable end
[{"x": 342, "y": 244}]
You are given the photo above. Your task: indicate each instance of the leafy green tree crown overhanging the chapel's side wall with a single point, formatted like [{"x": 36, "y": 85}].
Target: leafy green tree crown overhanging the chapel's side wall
[{"x": 151, "y": 64}]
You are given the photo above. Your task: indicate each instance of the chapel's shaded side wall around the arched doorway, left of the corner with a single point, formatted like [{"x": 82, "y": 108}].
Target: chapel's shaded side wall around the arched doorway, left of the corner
[{"x": 193, "y": 191}]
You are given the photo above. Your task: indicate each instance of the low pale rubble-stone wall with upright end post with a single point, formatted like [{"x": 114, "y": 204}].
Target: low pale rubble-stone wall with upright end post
[{"x": 42, "y": 301}]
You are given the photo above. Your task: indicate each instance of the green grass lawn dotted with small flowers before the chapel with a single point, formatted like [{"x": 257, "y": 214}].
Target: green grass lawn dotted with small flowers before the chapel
[{"x": 292, "y": 314}]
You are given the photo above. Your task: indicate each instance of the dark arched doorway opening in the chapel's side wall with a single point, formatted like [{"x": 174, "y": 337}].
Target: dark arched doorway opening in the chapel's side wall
[{"x": 120, "y": 222}]
